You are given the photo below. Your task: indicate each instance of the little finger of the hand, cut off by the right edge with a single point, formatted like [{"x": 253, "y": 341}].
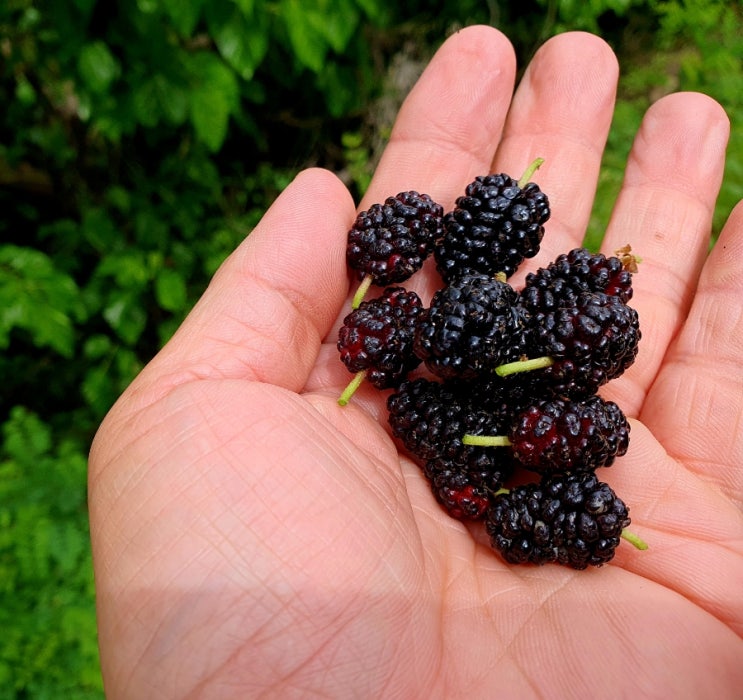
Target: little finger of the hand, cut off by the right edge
[{"x": 695, "y": 407}]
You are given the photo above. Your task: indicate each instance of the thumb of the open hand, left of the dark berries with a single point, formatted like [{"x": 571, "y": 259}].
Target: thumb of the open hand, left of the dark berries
[{"x": 272, "y": 301}]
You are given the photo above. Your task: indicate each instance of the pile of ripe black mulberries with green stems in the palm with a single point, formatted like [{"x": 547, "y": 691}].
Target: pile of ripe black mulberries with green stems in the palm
[{"x": 495, "y": 389}]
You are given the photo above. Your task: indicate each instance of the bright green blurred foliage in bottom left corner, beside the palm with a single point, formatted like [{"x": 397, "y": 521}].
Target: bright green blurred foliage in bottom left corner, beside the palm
[{"x": 48, "y": 647}]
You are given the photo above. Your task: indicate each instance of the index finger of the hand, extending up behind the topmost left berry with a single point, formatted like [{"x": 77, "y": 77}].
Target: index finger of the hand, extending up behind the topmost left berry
[{"x": 449, "y": 125}]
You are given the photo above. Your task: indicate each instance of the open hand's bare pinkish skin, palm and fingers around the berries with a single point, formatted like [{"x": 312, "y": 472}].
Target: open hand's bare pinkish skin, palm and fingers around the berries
[{"x": 251, "y": 538}]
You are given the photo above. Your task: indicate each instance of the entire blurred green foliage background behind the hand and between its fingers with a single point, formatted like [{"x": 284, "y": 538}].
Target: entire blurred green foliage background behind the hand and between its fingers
[{"x": 140, "y": 141}]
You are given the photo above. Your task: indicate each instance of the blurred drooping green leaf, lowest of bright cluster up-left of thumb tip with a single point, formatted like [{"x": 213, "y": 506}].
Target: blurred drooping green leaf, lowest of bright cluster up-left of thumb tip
[{"x": 214, "y": 96}]
